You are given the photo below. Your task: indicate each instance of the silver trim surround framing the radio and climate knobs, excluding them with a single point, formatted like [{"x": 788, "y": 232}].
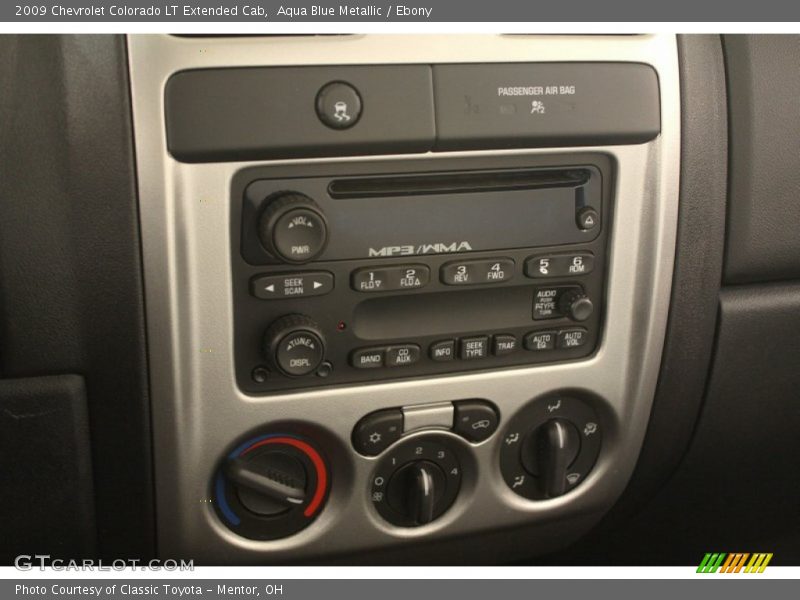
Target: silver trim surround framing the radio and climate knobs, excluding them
[{"x": 198, "y": 412}]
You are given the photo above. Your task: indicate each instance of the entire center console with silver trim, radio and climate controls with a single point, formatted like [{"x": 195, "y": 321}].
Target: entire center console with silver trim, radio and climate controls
[{"x": 401, "y": 289}]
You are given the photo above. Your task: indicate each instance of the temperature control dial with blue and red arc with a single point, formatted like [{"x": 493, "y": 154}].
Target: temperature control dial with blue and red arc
[{"x": 271, "y": 486}]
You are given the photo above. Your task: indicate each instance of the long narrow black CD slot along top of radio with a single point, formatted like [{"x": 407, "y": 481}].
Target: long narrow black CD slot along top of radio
[{"x": 456, "y": 182}]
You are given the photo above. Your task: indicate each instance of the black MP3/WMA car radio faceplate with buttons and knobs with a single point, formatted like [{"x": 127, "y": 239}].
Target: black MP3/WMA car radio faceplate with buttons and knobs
[{"x": 386, "y": 298}]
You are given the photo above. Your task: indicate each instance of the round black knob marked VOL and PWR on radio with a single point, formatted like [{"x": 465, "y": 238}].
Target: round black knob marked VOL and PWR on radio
[{"x": 293, "y": 228}]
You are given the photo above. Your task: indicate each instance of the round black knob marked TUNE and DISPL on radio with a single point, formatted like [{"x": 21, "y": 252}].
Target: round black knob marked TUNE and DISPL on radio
[{"x": 294, "y": 345}]
